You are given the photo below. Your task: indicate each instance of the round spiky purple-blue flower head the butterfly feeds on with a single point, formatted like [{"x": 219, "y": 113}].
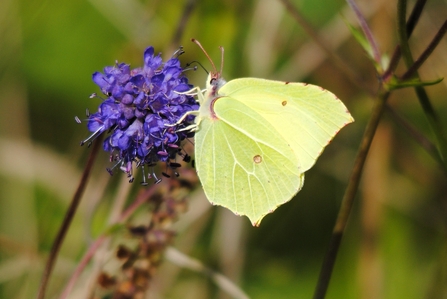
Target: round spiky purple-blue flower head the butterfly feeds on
[{"x": 140, "y": 107}]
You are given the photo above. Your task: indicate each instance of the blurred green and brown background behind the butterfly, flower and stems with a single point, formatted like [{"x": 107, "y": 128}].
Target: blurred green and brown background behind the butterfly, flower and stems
[{"x": 395, "y": 245}]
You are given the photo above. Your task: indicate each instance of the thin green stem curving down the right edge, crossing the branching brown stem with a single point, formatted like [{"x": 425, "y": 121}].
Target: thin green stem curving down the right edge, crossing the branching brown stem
[{"x": 424, "y": 100}]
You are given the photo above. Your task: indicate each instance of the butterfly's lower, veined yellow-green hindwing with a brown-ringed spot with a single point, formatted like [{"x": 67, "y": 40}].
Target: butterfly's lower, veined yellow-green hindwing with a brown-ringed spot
[{"x": 243, "y": 163}]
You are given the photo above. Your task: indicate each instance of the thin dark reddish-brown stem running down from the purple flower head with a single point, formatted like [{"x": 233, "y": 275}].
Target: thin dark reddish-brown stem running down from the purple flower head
[{"x": 67, "y": 220}]
